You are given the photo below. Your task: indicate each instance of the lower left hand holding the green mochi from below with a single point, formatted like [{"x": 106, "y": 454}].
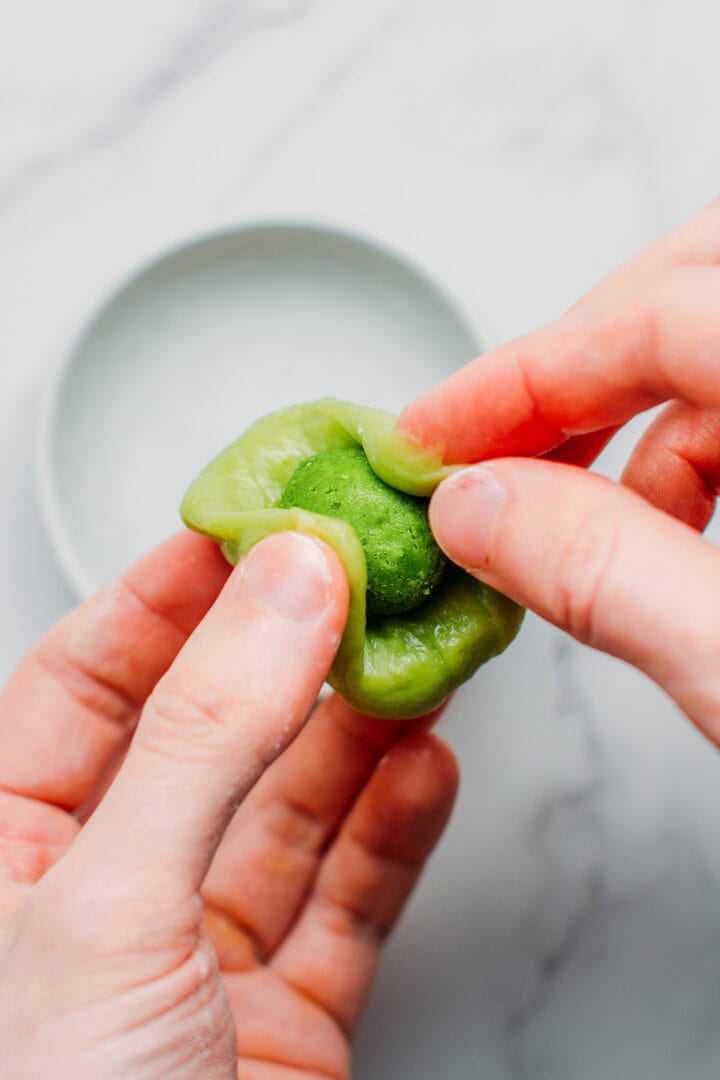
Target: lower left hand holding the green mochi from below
[{"x": 112, "y": 965}]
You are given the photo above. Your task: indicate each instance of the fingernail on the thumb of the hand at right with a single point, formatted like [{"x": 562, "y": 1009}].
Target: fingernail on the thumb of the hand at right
[{"x": 463, "y": 514}]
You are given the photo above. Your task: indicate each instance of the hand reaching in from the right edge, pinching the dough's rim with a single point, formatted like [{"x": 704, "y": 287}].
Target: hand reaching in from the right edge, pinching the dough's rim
[{"x": 621, "y": 568}]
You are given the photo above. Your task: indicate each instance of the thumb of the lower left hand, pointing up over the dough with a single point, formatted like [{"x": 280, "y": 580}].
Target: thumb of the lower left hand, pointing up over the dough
[{"x": 234, "y": 699}]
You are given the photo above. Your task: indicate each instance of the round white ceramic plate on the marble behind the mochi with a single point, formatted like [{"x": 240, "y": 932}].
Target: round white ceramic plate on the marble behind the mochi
[{"x": 208, "y": 339}]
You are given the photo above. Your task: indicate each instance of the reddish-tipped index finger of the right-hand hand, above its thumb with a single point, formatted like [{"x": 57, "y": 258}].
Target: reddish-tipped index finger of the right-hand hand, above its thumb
[{"x": 595, "y": 369}]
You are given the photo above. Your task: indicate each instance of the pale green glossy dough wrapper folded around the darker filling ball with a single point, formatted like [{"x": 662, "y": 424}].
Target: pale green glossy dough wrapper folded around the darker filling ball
[{"x": 396, "y": 666}]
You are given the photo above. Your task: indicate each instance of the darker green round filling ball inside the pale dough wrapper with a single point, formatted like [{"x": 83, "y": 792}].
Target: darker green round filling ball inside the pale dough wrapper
[{"x": 404, "y": 563}]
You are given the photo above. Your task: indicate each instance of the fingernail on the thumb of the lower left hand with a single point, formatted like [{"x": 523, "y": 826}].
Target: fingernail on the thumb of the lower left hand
[{"x": 289, "y": 574}]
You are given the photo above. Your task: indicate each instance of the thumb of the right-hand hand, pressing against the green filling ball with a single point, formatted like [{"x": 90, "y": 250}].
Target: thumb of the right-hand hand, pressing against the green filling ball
[{"x": 597, "y": 561}]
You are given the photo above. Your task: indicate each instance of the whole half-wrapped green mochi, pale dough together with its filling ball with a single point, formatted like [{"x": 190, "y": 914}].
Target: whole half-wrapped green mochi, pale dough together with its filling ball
[{"x": 418, "y": 627}]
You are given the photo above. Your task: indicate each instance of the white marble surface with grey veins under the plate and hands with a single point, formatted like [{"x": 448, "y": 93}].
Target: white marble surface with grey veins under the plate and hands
[{"x": 568, "y": 928}]
